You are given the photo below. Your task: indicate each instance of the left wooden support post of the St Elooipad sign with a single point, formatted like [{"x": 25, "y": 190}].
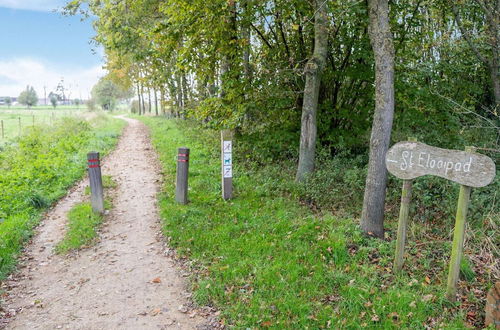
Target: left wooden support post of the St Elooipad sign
[{"x": 404, "y": 212}]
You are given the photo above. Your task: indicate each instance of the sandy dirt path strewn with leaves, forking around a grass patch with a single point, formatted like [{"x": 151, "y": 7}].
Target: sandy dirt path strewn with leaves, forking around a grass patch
[{"x": 126, "y": 281}]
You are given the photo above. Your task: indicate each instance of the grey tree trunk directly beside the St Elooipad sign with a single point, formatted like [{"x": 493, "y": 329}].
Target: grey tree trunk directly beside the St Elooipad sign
[{"x": 372, "y": 218}]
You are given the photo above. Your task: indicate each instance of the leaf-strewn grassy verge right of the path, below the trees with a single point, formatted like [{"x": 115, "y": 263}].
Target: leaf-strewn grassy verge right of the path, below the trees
[{"x": 265, "y": 261}]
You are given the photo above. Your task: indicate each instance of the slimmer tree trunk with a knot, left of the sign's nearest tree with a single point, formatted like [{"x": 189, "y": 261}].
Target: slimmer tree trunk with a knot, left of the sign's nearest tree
[{"x": 313, "y": 70}]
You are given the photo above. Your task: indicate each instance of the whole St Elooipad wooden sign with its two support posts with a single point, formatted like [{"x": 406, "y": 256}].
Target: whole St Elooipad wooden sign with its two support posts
[{"x": 410, "y": 160}]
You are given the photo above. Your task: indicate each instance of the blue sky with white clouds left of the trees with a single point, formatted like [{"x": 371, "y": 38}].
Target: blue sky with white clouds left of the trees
[{"x": 40, "y": 47}]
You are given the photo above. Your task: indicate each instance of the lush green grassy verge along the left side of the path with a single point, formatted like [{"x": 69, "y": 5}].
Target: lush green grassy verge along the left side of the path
[{"x": 38, "y": 168}]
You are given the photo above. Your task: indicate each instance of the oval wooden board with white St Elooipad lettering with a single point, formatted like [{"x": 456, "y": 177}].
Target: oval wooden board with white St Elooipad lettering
[{"x": 409, "y": 160}]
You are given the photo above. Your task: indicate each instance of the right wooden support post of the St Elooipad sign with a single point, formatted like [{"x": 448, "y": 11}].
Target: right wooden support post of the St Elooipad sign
[{"x": 458, "y": 239}]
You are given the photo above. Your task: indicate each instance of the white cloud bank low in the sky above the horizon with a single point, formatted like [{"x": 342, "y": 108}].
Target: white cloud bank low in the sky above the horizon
[{"x": 16, "y": 74}]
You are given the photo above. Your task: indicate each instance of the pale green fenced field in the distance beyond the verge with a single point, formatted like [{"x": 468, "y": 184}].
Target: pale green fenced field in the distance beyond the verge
[{"x": 16, "y": 119}]
